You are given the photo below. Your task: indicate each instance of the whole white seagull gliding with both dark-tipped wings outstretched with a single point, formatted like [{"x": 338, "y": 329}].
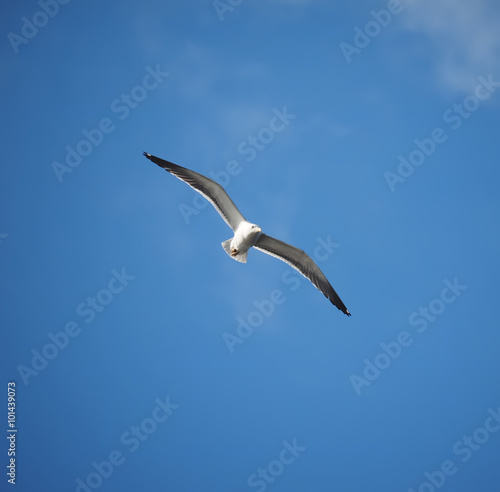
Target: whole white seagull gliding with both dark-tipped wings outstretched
[{"x": 247, "y": 234}]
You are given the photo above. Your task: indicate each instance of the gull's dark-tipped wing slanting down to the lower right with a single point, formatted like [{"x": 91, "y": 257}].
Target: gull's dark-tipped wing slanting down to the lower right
[{"x": 303, "y": 263}]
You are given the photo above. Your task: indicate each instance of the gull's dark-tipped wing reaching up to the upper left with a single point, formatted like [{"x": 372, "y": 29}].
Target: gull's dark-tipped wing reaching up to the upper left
[{"x": 211, "y": 190}]
